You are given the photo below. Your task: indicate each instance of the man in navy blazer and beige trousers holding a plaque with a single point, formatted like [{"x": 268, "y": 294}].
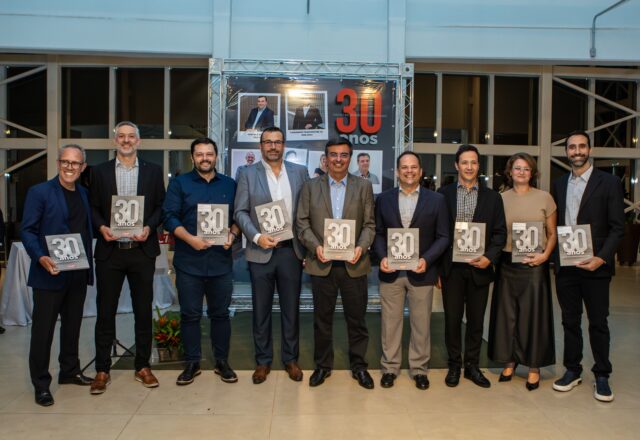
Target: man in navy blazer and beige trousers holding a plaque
[{"x": 409, "y": 206}]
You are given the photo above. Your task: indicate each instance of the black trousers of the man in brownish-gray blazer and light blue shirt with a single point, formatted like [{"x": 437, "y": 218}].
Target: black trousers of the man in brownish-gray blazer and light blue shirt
[{"x": 353, "y": 292}]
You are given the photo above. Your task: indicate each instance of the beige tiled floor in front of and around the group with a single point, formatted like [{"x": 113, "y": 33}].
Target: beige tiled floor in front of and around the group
[{"x": 282, "y": 409}]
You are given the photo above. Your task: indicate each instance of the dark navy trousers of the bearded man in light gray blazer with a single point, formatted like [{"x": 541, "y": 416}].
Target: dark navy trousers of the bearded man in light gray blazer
[{"x": 283, "y": 271}]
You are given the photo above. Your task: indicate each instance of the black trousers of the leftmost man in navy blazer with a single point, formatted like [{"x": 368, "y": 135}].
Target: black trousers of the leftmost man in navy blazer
[{"x": 47, "y": 305}]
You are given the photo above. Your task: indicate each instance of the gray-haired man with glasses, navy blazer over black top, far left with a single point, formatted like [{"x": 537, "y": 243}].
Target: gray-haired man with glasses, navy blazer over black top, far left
[{"x": 57, "y": 206}]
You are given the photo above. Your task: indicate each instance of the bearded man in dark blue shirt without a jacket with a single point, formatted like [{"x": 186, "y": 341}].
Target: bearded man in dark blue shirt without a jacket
[{"x": 202, "y": 269}]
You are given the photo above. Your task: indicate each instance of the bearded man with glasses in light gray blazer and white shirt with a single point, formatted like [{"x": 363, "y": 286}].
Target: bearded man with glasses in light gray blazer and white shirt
[{"x": 271, "y": 261}]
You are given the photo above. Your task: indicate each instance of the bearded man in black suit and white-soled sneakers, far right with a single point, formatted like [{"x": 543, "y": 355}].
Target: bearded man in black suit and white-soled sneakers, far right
[{"x": 587, "y": 196}]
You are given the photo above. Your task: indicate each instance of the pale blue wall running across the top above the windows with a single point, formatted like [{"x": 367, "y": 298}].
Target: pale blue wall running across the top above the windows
[{"x": 341, "y": 30}]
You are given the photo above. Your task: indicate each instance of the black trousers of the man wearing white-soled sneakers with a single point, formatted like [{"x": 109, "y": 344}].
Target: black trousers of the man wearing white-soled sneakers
[{"x": 573, "y": 290}]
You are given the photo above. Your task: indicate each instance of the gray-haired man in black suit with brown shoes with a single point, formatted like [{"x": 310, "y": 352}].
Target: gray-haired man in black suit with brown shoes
[{"x": 134, "y": 258}]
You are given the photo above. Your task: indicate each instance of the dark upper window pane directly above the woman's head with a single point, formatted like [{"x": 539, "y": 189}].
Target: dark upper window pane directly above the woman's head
[{"x": 516, "y": 111}]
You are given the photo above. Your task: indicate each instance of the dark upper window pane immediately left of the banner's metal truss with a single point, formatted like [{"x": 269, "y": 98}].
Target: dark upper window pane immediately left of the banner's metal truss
[{"x": 189, "y": 94}]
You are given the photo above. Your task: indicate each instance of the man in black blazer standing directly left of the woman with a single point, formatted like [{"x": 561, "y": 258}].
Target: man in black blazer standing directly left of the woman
[{"x": 465, "y": 286}]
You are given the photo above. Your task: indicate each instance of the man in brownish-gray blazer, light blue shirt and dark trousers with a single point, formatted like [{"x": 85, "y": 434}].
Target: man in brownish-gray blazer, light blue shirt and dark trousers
[{"x": 340, "y": 195}]
